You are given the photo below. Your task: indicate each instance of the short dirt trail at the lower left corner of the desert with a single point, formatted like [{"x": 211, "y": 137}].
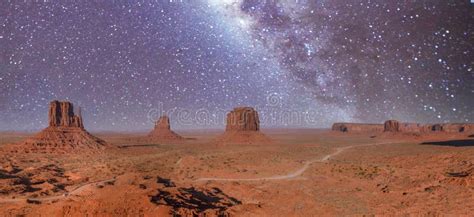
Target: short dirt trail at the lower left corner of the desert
[{"x": 73, "y": 192}]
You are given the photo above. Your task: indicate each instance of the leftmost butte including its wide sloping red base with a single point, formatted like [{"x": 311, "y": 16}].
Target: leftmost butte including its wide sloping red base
[{"x": 65, "y": 133}]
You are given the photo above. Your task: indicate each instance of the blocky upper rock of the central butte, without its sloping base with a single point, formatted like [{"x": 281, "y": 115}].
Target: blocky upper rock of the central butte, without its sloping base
[{"x": 243, "y": 119}]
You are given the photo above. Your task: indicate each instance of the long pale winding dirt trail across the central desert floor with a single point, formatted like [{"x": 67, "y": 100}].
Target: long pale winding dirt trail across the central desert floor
[{"x": 294, "y": 174}]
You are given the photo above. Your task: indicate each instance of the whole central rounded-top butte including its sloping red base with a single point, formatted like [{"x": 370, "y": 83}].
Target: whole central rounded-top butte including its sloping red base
[{"x": 243, "y": 127}]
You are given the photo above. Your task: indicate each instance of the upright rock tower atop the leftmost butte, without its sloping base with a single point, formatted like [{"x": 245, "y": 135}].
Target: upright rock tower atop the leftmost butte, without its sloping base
[{"x": 61, "y": 114}]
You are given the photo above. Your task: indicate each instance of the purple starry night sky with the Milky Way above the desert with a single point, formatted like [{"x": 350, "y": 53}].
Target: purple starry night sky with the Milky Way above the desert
[{"x": 301, "y": 63}]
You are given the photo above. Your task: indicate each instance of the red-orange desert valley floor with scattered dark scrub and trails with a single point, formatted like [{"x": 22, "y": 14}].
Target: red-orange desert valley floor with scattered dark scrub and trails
[{"x": 301, "y": 173}]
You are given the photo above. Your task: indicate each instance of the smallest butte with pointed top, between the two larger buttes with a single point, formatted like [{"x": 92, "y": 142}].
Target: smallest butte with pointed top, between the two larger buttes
[{"x": 163, "y": 132}]
